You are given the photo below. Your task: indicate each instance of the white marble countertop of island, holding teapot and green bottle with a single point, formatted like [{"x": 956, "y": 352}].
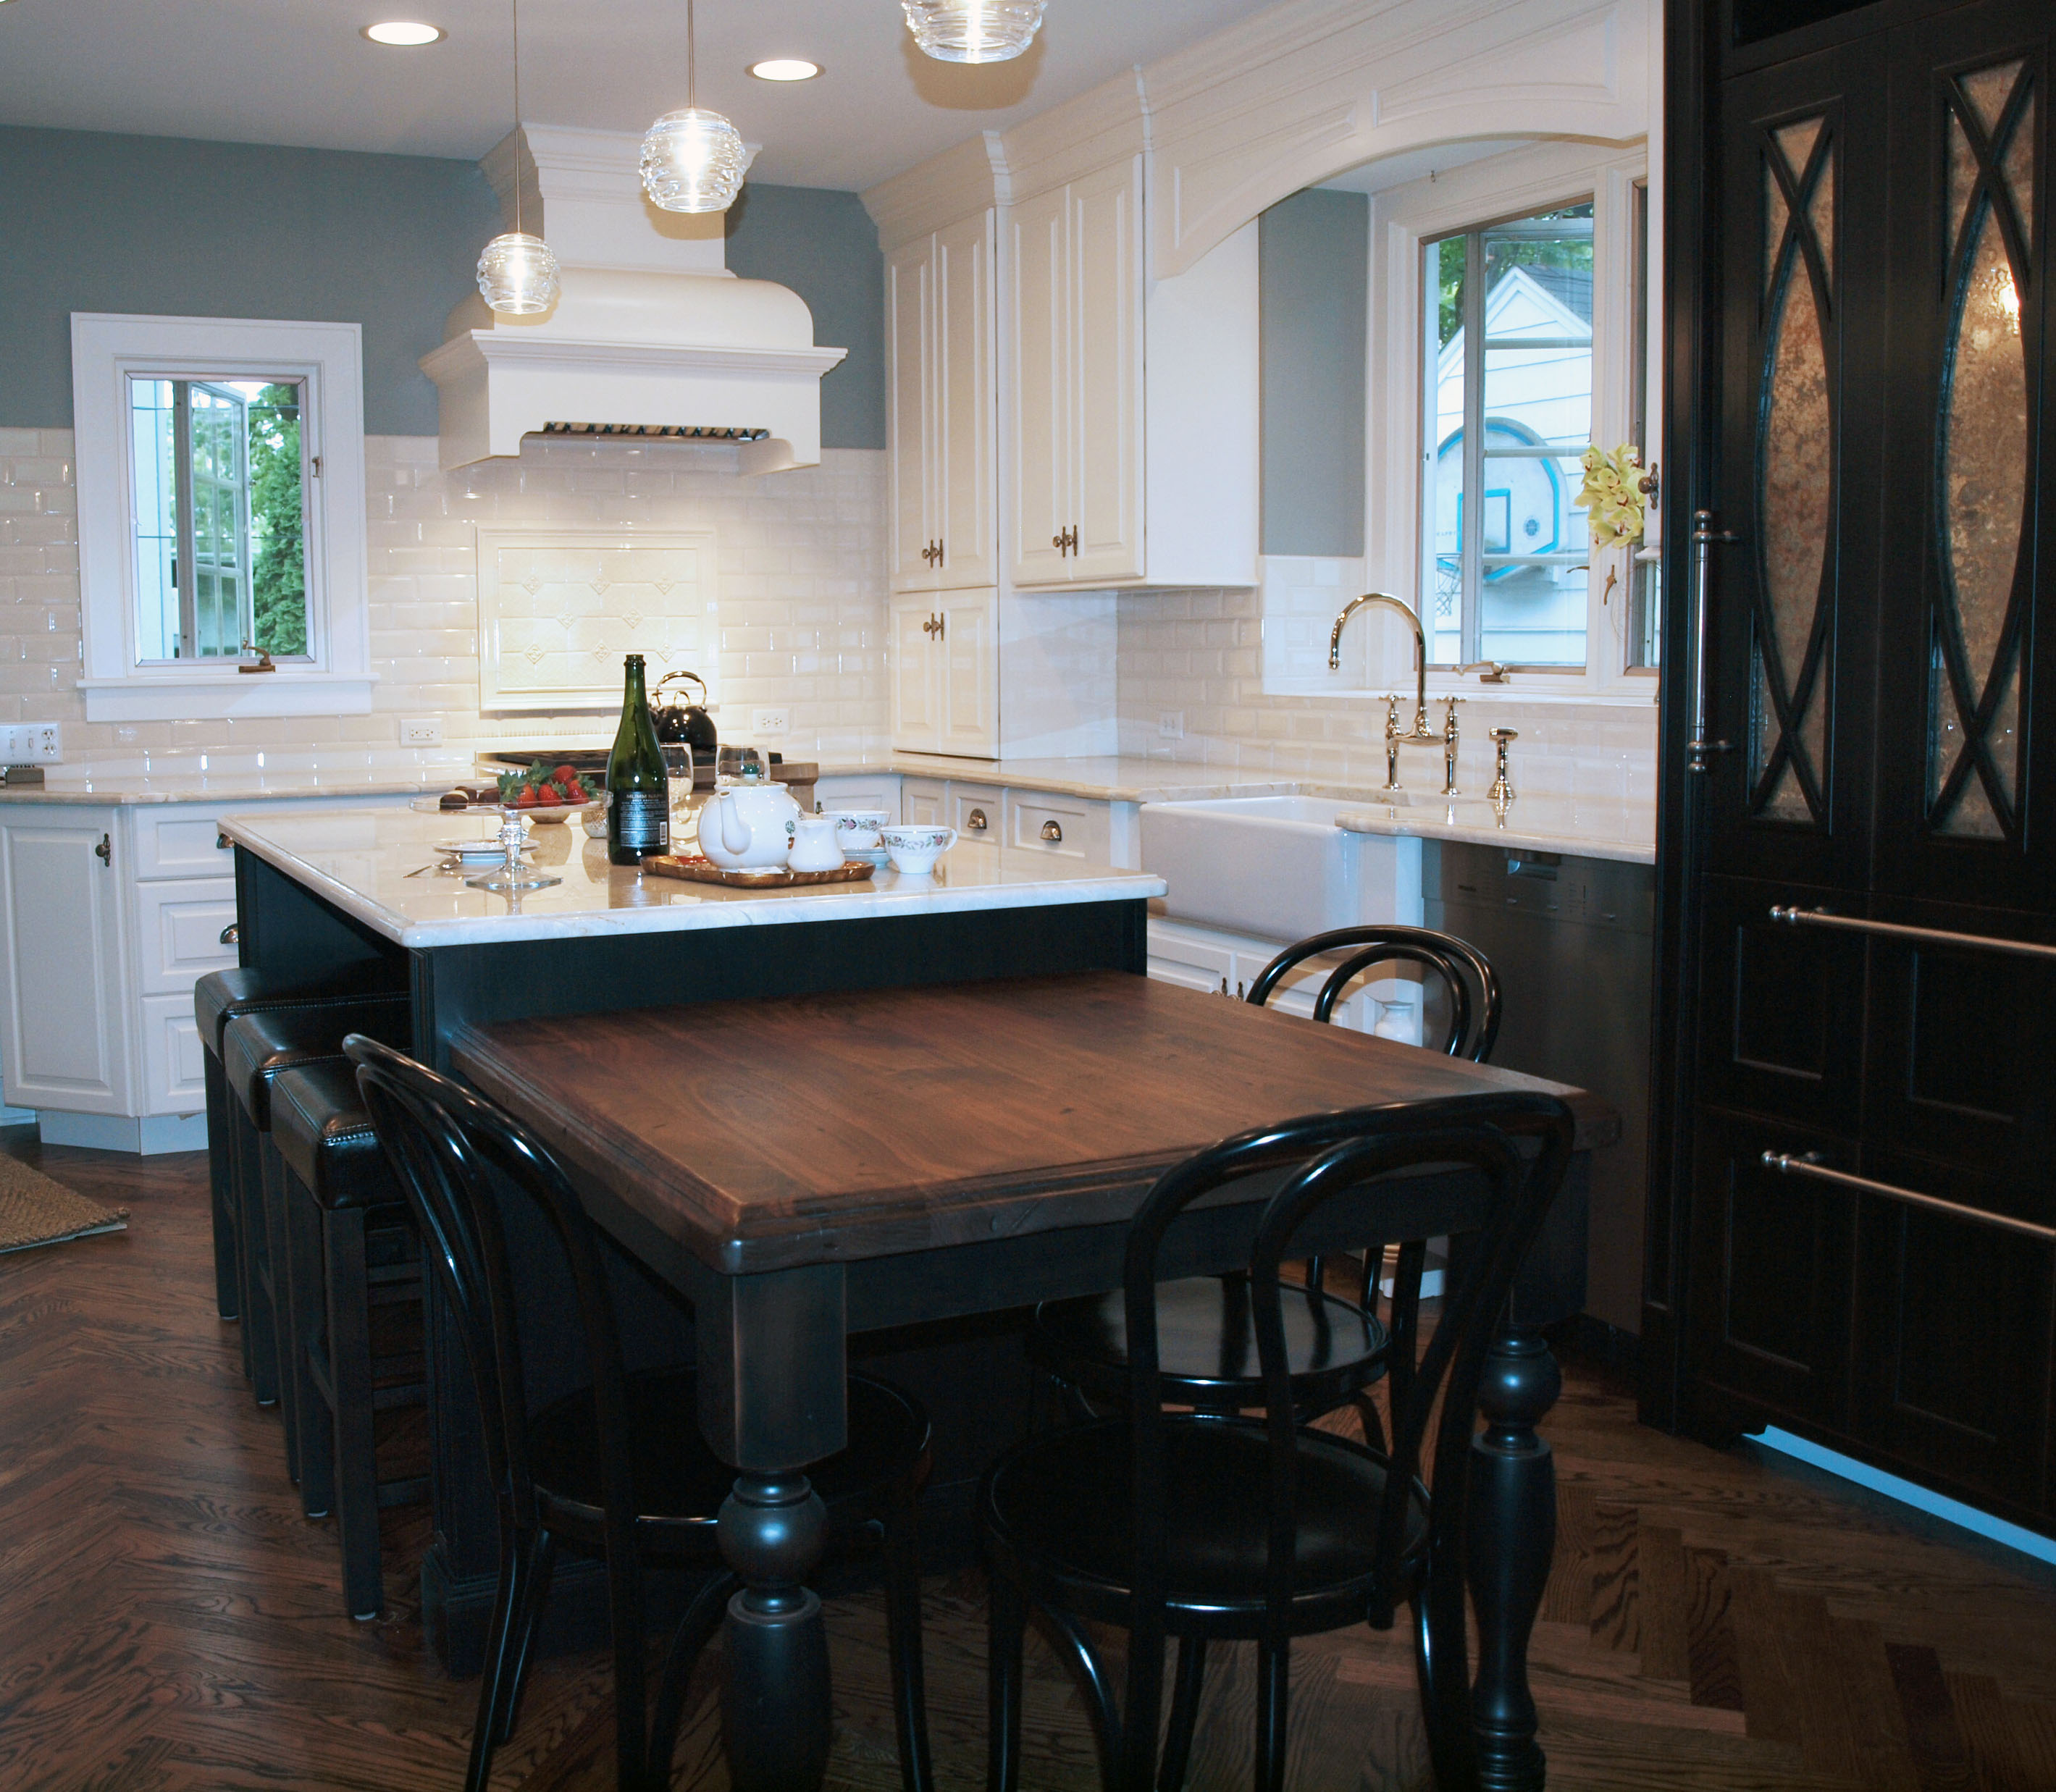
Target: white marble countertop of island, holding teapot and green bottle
[{"x": 359, "y": 860}]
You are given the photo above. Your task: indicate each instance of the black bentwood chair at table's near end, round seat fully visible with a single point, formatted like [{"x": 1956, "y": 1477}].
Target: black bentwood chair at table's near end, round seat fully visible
[{"x": 1222, "y": 1528}]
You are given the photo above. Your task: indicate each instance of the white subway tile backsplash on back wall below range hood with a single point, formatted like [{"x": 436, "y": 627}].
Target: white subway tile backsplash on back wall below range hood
[{"x": 803, "y": 593}]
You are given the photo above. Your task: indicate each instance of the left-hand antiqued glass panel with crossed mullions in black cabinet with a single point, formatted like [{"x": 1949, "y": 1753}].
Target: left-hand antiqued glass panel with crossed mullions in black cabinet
[{"x": 1796, "y": 484}]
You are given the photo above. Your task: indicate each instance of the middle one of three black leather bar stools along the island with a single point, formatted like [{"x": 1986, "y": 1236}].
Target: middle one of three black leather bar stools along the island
[{"x": 258, "y": 1047}]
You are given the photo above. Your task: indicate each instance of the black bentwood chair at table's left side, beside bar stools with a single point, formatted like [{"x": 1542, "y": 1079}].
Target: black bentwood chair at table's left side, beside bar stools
[{"x": 616, "y": 1468}]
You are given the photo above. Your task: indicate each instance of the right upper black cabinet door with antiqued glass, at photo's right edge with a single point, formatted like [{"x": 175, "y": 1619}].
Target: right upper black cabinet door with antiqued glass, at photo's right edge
[{"x": 1967, "y": 766}]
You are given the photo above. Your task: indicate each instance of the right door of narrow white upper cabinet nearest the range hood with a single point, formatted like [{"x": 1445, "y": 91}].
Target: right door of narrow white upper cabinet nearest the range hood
[{"x": 967, "y": 422}]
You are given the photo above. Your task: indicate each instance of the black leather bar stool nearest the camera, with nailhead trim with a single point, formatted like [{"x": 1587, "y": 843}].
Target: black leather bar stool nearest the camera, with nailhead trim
[{"x": 351, "y": 1246}]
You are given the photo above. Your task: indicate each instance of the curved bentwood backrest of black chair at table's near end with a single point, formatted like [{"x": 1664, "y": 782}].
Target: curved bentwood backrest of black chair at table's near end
[{"x": 1329, "y": 1156}]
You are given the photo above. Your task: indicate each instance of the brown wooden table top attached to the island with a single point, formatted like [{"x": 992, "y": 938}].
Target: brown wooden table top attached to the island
[{"x": 856, "y": 1125}]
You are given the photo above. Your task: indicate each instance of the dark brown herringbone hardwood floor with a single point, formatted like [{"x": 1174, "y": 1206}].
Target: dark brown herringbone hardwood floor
[{"x": 170, "y": 1620}]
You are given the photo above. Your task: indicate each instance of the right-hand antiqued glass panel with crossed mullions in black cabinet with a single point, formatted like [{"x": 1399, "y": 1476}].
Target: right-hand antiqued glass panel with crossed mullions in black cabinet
[{"x": 1985, "y": 451}]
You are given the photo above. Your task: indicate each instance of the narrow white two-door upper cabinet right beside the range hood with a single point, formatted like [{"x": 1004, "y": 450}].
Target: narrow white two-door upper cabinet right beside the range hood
[{"x": 943, "y": 346}]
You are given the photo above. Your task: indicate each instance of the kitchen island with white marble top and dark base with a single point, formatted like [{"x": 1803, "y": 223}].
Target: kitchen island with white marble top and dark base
[{"x": 357, "y": 899}]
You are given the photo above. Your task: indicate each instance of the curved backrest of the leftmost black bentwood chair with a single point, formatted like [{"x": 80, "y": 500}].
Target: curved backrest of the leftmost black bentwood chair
[{"x": 470, "y": 1170}]
